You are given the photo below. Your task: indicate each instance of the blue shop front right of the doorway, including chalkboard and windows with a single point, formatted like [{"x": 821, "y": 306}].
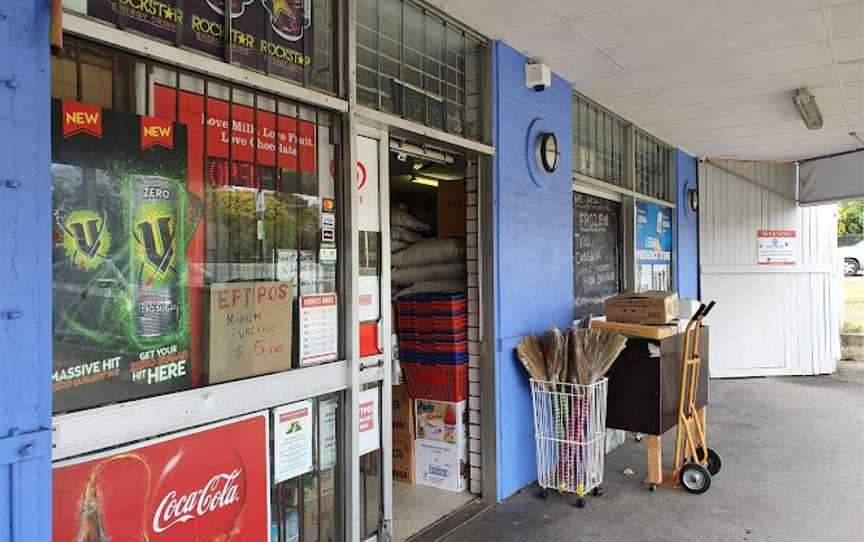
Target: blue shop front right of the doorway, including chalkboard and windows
[{"x": 605, "y": 222}]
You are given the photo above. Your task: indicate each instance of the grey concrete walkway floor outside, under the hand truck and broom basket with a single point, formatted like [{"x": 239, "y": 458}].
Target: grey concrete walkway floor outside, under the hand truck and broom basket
[{"x": 793, "y": 469}]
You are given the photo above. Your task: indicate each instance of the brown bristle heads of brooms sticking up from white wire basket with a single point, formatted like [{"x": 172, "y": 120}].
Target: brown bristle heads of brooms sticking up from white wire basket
[{"x": 579, "y": 356}]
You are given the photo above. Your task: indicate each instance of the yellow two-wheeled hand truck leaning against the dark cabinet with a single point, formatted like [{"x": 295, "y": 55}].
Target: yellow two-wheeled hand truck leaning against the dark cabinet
[{"x": 695, "y": 462}]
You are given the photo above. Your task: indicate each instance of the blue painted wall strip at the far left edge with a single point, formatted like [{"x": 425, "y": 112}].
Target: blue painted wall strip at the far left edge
[{"x": 25, "y": 273}]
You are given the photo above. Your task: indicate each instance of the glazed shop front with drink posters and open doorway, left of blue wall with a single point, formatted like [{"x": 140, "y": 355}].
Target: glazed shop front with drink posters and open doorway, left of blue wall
[{"x": 226, "y": 317}]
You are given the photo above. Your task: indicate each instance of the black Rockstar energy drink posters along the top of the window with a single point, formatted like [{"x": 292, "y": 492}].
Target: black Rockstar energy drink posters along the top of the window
[{"x": 274, "y": 36}]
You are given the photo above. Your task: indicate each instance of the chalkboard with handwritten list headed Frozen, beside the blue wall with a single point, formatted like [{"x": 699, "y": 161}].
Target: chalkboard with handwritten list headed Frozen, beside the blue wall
[{"x": 596, "y": 252}]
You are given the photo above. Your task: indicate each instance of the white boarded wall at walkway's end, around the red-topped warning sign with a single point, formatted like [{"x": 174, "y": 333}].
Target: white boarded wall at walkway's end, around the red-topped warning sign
[{"x": 769, "y": 320}]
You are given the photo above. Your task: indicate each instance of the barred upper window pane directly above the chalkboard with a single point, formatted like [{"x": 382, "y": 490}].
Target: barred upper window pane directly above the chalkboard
[{"x": 599, "y": 142}]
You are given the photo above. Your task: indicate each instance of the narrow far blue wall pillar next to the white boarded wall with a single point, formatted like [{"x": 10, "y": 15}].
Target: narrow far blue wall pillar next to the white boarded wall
[{"x": 687, "y": 255}]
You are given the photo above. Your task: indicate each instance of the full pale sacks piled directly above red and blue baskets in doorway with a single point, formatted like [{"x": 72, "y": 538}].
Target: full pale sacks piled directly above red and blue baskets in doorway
[{"x": 433, "y": 265}]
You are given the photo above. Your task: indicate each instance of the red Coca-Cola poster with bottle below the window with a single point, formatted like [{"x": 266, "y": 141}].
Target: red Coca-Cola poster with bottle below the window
[{"x": 205, "y": 485}]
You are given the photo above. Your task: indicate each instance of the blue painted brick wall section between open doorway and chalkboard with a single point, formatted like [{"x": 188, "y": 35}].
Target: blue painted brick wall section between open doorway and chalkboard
[{"x": 533, "y": 237}]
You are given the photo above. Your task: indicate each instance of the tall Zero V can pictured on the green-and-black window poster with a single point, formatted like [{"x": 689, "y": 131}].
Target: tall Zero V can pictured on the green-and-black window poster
[{"x": 155, "y": 290}]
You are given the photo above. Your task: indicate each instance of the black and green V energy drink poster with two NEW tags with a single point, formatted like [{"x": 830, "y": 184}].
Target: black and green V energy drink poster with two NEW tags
[{"x": 122, "y": 218}]
